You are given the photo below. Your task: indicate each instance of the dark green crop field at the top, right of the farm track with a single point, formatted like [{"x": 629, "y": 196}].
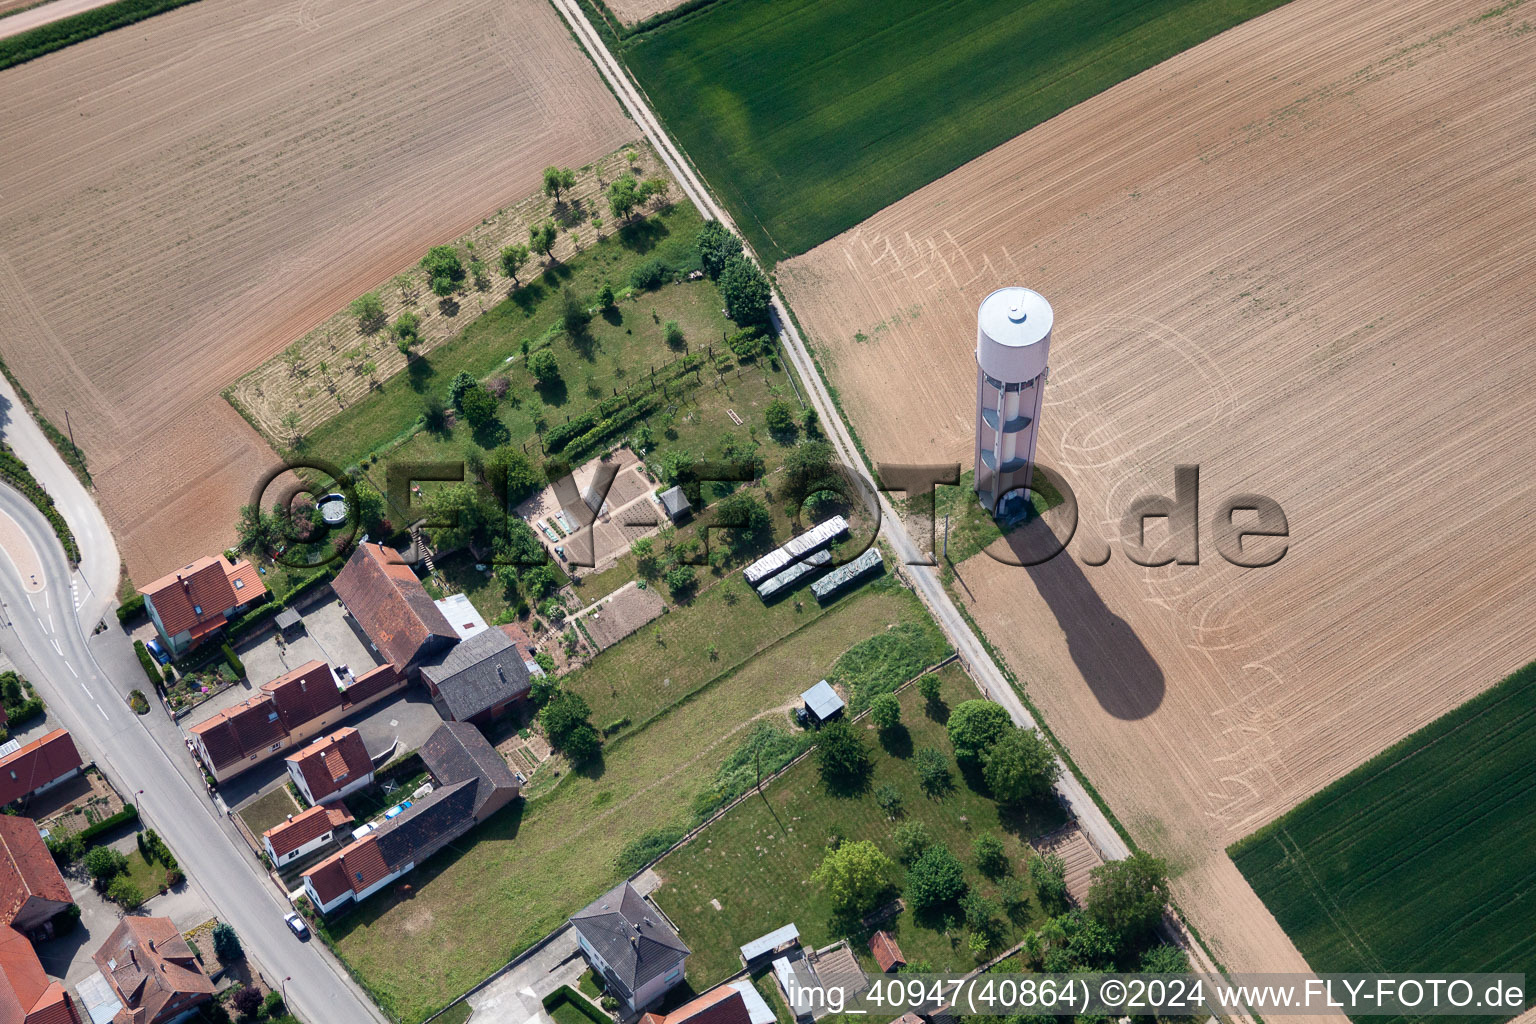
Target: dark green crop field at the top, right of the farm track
[{"x": 809, "y": 116}]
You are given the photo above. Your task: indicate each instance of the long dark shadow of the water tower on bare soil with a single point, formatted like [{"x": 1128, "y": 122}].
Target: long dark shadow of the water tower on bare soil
[{"x": 1125, "y": 678}]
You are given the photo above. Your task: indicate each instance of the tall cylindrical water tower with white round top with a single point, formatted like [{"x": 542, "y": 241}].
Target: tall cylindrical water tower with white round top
[{"x": 1013, "y": 342}]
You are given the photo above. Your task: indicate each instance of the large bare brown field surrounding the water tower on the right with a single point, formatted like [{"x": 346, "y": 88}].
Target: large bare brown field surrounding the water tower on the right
[{"x": 1300, "y": 257}]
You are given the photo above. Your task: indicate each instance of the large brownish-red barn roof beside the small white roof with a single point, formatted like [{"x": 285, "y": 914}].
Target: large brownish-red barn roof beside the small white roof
[{"x": 391, "y": 606}]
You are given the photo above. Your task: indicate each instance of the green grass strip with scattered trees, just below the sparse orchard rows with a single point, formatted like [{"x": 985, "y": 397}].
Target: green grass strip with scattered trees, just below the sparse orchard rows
[{"x": 623, "y": 345}]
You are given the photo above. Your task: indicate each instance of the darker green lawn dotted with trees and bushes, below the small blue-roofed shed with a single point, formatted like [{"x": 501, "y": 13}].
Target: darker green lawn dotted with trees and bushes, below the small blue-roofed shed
[{"x": 758, "y": 860}]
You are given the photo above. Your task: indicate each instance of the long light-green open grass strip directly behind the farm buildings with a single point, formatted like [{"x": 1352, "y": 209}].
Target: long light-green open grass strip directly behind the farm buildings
[{"x": 518, "y": 876}]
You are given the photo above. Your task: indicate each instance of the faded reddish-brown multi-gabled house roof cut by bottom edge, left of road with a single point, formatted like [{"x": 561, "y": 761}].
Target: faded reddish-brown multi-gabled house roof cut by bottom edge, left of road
[{"x": 150, "y": 965}]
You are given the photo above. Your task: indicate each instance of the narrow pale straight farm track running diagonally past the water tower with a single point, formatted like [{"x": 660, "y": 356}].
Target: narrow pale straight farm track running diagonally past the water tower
[{"x": 925, "y": 578}]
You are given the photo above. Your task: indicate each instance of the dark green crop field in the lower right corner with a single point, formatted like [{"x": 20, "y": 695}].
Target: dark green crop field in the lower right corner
[{"x": 1425, "y": 859}]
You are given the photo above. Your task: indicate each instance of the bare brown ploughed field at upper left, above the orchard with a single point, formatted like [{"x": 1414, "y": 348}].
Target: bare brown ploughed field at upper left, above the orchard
[{"x": 182, "y": 199}]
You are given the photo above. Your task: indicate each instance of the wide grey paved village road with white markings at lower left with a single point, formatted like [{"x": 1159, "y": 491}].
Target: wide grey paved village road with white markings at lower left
[{"x": 44, "y": 638}]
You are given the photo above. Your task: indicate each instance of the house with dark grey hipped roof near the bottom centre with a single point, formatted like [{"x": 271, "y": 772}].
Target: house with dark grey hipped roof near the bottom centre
[{"x": 629, "y": 943}]
